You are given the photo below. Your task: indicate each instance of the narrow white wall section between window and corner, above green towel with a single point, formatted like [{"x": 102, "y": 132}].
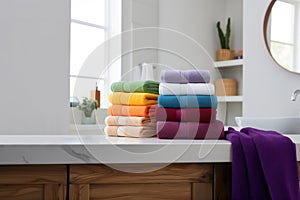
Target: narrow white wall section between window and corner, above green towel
[{"x": 139, "y": 38}]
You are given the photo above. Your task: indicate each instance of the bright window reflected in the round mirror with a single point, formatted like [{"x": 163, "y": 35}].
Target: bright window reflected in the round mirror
[{"x": 282, "y": 35}]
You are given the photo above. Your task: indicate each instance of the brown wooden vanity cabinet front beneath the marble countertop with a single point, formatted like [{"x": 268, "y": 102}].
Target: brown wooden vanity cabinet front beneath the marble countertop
[{"x": 98, "y": 181}]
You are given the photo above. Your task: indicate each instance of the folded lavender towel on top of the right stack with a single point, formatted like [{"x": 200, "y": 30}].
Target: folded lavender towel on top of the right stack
[{"x": 185, "y": 76}]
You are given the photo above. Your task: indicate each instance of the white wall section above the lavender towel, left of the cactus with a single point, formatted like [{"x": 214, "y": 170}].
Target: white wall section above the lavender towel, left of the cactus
[{"x": 188, "y": 37}]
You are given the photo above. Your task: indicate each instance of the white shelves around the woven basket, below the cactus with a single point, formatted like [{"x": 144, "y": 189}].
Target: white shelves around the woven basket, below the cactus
[{"x": 231, "y": 106}]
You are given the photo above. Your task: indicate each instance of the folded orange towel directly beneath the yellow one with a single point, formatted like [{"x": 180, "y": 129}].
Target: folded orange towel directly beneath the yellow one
[{"x": 138, "y": 111}]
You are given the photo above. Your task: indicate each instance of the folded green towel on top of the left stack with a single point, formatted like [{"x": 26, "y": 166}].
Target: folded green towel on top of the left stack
[{"x": 135, "y": 86}]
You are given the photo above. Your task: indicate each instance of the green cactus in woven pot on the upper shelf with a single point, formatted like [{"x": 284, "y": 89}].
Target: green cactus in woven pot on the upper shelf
[{"x": 224, "y": 53}]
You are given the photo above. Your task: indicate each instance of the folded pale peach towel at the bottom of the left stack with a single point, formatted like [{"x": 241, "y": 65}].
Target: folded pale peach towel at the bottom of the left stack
[{"x": 130, "y": 131}]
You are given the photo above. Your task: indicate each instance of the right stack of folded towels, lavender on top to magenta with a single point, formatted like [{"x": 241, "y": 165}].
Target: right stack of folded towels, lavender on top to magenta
[{"x": 187, "y": 106}]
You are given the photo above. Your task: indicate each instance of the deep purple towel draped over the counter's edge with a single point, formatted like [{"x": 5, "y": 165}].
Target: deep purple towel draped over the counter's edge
[{"x": 264, "y": 165}]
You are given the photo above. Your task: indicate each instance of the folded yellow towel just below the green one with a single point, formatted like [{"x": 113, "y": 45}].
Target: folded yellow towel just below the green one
[{"x": 133, "y": 99}]
